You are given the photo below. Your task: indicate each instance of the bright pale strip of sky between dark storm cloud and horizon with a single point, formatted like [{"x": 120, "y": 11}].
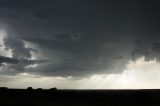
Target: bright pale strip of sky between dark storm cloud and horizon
[{"x": 139, "y": 74}]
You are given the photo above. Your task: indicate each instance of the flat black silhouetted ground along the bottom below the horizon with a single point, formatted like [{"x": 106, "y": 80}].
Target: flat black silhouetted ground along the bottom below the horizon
[{"x": 54, "y": 97}]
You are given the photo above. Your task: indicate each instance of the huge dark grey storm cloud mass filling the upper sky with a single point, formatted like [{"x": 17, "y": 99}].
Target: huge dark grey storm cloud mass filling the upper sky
[{"x": 81, "y": 37}]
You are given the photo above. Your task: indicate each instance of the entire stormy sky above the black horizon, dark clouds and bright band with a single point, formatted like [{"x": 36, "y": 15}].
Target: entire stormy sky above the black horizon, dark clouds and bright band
[{"x": 80, "y": 44}]
